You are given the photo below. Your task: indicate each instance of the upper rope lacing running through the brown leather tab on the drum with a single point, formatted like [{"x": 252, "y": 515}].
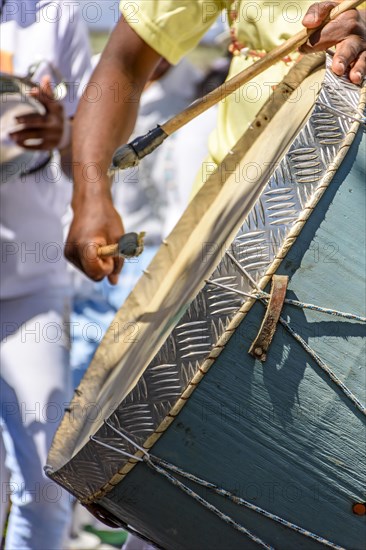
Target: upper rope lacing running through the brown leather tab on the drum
[{"x": 263, "y": 296}]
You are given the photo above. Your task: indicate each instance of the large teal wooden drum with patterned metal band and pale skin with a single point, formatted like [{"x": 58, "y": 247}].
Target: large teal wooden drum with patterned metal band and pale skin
[{"x": 222, "y": 412}]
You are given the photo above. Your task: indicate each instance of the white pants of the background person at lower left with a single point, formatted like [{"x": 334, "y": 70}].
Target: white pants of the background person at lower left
[{"x": 35, "y": 389}]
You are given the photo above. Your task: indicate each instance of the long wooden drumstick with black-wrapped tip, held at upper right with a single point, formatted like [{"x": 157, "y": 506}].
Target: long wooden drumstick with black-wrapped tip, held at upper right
[{"x": 129, "y": 155}]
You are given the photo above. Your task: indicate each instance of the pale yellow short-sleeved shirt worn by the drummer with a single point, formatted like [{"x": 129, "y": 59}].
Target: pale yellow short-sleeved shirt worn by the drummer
[{"x": 173, "y": 28}]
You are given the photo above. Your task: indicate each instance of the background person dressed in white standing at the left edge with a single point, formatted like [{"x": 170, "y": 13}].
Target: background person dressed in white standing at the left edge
[{"x": 47, "y": 42}]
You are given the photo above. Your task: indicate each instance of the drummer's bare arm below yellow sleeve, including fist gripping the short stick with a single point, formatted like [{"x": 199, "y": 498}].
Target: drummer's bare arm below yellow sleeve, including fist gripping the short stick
[{"x": 105, "y": 119}]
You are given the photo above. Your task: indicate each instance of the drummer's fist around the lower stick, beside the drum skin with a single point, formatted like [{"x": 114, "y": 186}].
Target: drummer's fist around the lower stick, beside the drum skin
[{"x": 99, "y": 218}]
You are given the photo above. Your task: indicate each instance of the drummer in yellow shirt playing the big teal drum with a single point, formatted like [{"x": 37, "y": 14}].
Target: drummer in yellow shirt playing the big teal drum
[{"x": 162, "y": 30}]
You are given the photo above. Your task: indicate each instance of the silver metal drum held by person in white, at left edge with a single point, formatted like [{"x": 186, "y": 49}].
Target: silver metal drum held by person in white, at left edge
[{"x": 15, "y": 100}]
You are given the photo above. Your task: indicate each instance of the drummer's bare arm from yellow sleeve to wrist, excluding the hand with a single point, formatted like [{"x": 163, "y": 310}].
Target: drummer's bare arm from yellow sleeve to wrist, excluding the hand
[{"x": 108, "y": 109}]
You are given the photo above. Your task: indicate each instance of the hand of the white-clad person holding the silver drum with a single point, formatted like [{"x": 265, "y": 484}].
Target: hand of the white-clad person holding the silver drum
[{"x": 41, "y": 131}]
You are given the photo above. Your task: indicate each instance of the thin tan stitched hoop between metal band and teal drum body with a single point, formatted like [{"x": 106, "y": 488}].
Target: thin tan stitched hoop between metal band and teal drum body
[{"x": 239, "y": 316}]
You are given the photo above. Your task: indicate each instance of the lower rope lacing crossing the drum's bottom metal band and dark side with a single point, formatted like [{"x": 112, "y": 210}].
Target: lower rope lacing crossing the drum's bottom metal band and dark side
[{"x": 163, "y": 468}]
